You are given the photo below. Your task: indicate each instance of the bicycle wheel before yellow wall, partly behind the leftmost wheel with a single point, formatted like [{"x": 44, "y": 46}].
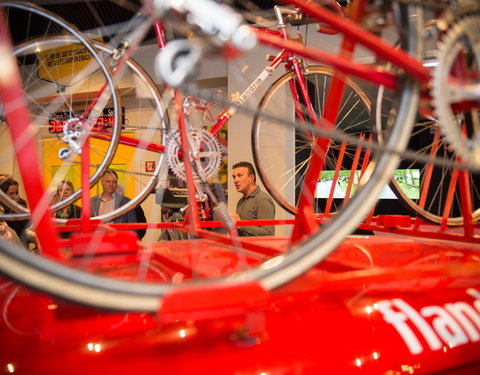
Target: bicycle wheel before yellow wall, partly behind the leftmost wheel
[{"x": 141, "y": 122}]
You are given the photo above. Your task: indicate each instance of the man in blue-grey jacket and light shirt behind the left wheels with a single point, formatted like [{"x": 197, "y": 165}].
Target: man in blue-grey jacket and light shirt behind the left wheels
[{"x": 110, "y": 200}]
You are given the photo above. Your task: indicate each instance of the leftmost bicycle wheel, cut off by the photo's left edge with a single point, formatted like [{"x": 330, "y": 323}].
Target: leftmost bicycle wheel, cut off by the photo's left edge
[{"x": 69, "y": 91}]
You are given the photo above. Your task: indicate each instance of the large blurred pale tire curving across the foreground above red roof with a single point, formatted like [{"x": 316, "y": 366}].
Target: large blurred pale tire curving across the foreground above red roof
[{"x": 86, "y": 288}]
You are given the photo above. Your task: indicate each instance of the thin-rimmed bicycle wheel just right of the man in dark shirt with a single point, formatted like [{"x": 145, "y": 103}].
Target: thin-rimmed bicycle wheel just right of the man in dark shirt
[{"x": 353, "y": 119}]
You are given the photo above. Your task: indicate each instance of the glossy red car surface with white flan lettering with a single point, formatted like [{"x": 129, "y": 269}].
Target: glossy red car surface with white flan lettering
[{"x": 377, "y": 305}]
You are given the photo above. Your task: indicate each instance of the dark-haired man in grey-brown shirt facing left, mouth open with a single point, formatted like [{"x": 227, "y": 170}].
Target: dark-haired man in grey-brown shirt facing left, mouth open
[{"x": 254, "y": 204}]
